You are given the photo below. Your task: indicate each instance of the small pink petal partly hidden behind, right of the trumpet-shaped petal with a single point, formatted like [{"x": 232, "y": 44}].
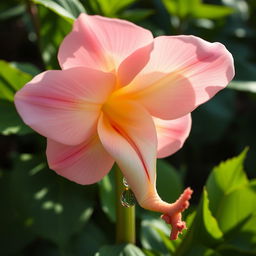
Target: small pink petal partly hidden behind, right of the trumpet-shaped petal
[{"x": 171, "y": 134}]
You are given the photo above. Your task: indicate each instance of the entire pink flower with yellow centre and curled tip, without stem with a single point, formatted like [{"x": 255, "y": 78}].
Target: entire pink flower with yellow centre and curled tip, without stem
[{"x": 123, "y": 97}]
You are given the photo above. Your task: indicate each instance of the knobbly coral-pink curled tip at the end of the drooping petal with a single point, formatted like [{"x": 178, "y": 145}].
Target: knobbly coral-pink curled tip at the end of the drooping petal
[{"x": 173, "y": 216}]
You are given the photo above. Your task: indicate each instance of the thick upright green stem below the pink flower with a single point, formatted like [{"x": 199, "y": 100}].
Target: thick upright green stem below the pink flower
[{"x": 125, "y": 217}]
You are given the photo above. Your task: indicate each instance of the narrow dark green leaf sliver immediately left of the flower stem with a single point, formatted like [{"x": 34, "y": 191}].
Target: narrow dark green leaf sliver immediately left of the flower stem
[{"x": 107, "y": 195}]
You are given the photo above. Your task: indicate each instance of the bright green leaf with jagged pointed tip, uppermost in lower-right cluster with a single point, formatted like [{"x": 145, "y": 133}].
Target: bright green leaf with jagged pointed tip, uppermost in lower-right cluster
[{"x": 226, "y": 177}]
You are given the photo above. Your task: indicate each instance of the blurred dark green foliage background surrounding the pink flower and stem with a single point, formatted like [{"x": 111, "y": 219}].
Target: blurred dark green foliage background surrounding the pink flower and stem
[{"x": 44, "y": 214}]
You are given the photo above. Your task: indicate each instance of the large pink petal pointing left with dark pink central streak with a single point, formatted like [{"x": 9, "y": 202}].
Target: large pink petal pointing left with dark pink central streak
[{"x": 64, "y": 105}]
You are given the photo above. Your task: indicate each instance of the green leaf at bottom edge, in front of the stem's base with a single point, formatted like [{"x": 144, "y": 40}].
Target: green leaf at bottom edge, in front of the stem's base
[{"x": 120, "y": 250}]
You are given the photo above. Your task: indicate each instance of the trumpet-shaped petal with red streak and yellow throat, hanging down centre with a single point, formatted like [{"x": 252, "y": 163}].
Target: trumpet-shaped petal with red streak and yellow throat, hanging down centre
[{"x": 127, "y": 132}]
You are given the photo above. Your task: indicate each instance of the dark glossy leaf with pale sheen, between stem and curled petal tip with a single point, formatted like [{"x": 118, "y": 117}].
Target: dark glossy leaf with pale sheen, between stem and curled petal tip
[{"x": 153, "y": 236}]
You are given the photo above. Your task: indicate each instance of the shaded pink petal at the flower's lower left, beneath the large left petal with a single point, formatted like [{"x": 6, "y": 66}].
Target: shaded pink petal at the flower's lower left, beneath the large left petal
[{"x": 86, "y": 163}]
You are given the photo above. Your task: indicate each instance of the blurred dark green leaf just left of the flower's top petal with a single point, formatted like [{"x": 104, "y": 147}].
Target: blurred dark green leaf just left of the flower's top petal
[{"x": 52, "y": 32}]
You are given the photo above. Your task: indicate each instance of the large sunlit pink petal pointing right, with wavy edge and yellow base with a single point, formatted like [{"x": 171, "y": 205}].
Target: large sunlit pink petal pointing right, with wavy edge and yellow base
[{"x": 183, "y": 72}]
